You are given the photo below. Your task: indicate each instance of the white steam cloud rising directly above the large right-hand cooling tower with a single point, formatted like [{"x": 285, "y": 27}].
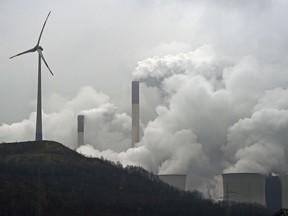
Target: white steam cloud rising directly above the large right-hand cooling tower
[{"x": 258, "y": 143}]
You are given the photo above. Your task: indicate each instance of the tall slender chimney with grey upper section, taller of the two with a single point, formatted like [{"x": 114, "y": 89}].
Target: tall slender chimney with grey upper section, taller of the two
[{"x": 135, "y": 113}]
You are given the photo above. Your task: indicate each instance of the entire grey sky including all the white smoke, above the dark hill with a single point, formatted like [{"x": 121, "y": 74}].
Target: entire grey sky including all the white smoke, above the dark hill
[{"x": 213, "y": 92}]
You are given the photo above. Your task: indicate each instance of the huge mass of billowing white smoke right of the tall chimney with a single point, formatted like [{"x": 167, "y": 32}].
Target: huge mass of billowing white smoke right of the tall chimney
[{"x": 216, "y": 115}]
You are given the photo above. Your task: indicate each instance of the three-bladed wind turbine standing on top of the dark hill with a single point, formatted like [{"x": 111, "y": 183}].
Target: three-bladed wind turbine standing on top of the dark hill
[{"x": 39, "y": 49}]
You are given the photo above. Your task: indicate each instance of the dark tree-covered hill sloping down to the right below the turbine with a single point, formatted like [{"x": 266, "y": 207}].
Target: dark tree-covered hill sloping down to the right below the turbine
[{"x": 46, "y": 178}]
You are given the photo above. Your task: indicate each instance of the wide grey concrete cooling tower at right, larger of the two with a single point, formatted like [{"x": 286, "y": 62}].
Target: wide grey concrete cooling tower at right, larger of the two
[{"x": 244, "y": 187}]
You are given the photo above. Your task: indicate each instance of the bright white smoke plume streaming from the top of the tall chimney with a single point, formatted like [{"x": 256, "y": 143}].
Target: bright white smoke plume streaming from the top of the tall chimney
[{"x": 202, "y": 61}]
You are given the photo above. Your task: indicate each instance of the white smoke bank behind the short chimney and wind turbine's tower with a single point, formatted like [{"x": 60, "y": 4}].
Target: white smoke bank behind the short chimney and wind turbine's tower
[{"x": 104, "y": 123}]
